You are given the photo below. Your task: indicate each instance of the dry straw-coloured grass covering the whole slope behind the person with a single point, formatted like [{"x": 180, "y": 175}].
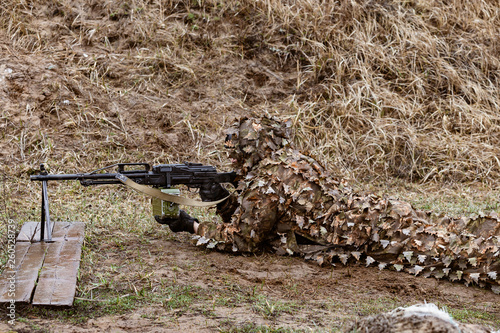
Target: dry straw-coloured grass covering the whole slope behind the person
[{"x": 383, "y": 88}]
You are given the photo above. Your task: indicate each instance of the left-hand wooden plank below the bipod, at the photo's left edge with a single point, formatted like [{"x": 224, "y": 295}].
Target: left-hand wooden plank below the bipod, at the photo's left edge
[{"x": 26, "y": 274}]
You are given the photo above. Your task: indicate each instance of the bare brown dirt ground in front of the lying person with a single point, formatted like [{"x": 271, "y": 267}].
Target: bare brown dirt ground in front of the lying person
[{"x": 227, "y": 289}]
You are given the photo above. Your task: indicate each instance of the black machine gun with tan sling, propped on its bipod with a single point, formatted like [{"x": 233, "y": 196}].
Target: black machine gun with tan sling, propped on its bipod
[{"x": 140, "y": 176}]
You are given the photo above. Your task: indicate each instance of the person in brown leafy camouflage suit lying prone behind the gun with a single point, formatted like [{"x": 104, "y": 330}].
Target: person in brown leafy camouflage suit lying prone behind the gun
[{"x": 286, "y": 201}]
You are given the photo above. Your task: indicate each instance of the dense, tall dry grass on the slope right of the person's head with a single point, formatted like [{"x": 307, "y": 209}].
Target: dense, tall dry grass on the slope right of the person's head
[{"x": 406, "y": 90}]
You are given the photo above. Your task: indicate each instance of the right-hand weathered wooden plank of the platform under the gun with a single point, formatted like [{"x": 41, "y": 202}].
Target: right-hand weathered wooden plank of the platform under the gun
[{"x": 57, "y": 281}]
